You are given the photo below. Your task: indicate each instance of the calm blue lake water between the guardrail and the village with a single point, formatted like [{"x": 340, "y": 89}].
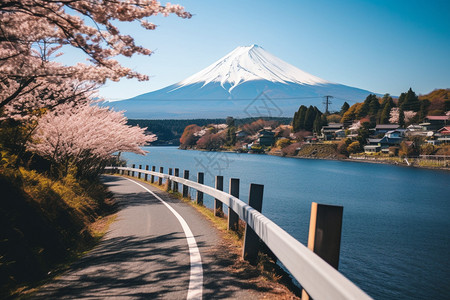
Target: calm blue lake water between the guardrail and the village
[{"x": 396, "y": 227}]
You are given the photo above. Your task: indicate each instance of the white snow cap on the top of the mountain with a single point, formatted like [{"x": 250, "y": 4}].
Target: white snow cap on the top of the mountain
[{"x": 247, "y": 64}]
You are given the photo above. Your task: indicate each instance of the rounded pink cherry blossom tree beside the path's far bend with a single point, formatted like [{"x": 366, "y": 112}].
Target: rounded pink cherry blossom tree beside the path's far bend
[{"x": 85, "y": 136}]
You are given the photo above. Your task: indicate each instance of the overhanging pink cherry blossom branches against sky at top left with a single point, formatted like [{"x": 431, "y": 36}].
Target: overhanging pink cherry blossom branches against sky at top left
[{"x": 33, "y": 32}]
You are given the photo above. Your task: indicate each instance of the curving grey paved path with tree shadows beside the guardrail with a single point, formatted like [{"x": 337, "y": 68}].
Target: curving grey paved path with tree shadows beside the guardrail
[{"x": 149, "y": 253}]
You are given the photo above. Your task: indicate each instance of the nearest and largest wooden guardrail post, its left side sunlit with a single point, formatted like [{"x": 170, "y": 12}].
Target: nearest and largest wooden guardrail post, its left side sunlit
[{"x": 324, "y": 238}]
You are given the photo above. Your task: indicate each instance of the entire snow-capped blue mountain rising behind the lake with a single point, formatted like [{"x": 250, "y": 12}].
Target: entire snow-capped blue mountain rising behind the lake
[{"x": 247, "y": 82}]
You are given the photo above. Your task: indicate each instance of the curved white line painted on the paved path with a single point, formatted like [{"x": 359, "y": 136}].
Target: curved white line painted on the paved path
[{"x": 195, "y": 290}]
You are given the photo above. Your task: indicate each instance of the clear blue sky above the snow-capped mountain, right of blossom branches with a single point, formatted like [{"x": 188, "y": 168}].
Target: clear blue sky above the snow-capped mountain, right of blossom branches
[{"x": 382, "y": 46}]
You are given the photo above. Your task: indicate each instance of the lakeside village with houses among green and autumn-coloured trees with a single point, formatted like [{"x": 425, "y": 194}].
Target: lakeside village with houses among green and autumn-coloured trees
[{"x": 411, "y": 130}]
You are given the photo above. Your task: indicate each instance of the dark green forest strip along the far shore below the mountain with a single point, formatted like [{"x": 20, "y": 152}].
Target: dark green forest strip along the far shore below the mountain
[{"x": 170, "y": 131}]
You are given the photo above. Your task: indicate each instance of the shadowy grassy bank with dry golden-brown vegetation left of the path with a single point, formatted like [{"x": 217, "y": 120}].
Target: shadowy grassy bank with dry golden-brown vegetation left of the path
[{"x": 45, "y": 224}]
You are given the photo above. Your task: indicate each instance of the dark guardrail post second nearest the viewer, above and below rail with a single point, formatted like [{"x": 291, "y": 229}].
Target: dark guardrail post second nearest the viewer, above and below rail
[{"x": 251, "y": 239}]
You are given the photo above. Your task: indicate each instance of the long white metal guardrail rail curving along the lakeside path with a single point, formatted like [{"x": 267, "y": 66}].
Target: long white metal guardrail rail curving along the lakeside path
[{"x": 316, "y": 276}]
